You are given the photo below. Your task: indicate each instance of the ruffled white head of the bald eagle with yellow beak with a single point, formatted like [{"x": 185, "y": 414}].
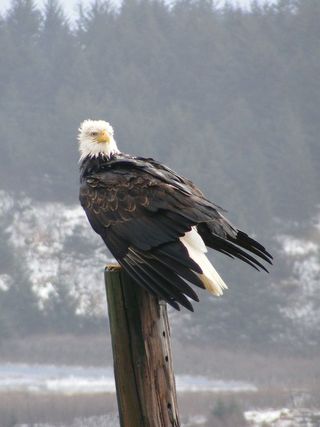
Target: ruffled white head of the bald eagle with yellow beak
[{"x": 96, "y": 138}]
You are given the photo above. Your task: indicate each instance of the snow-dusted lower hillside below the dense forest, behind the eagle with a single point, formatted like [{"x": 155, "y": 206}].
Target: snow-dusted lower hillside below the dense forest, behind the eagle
[{"x": 56, "y": 268}]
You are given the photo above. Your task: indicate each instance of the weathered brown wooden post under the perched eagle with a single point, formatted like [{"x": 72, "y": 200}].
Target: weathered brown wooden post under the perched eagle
[{"x": 140, "y": 333}]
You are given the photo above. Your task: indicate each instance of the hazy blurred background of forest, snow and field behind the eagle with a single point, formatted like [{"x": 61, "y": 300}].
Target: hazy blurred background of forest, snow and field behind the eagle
[{"x": 227, "y": 94}]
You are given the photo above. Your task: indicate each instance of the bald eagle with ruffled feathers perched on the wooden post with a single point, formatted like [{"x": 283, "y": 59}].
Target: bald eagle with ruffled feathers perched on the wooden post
[{"x": 156, "y": 223}]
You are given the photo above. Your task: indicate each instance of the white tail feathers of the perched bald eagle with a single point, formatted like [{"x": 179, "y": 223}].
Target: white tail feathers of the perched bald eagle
[{"x": 197, "y": 251}]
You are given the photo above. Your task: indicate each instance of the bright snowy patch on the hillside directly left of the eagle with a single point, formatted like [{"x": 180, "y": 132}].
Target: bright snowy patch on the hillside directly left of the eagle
[{"x": 60, "y": 250}]
